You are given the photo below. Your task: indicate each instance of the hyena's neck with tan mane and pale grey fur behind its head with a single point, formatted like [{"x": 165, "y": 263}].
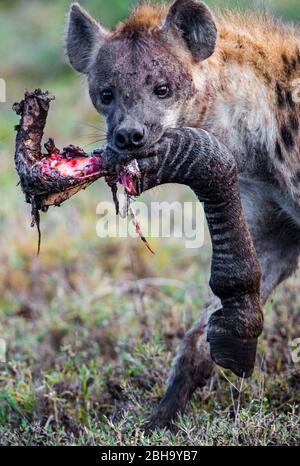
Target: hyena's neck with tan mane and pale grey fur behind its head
[{"x": 244, "y": 92}]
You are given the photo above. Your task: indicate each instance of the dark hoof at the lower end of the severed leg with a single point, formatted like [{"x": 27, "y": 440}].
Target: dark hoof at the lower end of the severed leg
[{"x": 234, "y": 353}]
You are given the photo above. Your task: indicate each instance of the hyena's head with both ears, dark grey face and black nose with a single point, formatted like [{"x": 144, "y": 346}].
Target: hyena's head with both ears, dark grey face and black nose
[{"x": 140, "y": 74}]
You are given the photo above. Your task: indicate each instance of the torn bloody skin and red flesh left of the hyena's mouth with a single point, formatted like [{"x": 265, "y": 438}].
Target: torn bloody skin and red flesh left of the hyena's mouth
[{"x": 50, "y": 178}]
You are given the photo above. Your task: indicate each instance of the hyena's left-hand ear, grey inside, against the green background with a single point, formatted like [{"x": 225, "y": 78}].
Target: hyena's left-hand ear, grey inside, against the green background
[{"x": 84, "y": 38}]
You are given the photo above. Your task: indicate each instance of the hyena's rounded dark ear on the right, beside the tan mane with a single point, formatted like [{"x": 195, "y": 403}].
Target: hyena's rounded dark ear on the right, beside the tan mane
[{"x": 193, "y": 21}]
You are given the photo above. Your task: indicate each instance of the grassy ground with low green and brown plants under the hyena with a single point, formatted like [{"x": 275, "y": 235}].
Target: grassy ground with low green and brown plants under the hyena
[{"x": 91, "y": 328}]
